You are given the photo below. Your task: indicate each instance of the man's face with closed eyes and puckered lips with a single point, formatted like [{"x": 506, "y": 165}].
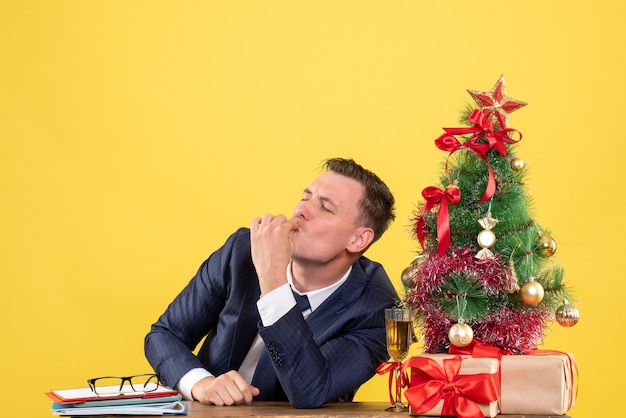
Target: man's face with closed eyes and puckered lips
[{"x": 326, "y": 218}]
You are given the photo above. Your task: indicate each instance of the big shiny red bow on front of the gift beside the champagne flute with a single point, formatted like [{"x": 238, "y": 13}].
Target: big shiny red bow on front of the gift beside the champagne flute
[{"x": 460, "y": 393}]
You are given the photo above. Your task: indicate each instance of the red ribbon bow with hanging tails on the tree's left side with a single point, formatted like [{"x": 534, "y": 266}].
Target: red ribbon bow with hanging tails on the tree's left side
[{"x": 435, "y": 196}]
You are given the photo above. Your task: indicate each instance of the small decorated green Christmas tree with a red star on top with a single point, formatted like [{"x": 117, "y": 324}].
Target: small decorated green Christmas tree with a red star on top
[{"x": 485, "y": 268}]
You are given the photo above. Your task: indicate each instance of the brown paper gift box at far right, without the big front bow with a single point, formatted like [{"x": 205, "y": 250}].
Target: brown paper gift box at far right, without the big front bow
[{"x": 540, "y": 384}]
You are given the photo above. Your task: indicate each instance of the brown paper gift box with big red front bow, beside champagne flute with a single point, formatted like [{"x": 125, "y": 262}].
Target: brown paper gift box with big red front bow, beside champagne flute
[{"x": 484, "y": 369}]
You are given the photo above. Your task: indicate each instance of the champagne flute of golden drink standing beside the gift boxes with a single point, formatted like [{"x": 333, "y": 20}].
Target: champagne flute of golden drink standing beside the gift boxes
[{"x": 399, "y": 328}]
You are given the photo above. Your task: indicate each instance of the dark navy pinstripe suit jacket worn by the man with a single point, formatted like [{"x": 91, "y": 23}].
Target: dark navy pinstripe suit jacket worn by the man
[{"x": 322, "y": 359}]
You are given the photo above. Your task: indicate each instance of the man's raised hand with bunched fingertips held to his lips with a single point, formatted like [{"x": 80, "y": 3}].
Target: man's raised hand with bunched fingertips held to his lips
[{"x": 272, "y": 248}]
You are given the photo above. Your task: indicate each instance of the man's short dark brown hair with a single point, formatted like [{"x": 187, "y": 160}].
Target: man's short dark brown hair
[{"x": 377, "y": 205}]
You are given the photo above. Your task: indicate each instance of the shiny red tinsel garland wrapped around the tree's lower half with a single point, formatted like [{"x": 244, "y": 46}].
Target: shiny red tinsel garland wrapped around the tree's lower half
[{"x": 512, "y": 328}]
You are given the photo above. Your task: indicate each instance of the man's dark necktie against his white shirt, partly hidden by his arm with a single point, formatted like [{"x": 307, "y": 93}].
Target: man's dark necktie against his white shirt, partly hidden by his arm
[{"x": 264, "y": 375}]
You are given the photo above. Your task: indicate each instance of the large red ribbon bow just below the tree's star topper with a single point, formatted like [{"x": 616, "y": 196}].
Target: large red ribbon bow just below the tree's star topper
[{"x": 480, "y": 130}]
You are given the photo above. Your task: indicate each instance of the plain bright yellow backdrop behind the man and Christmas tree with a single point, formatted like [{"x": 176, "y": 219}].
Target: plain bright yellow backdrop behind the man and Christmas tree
[{"x": 136, "y": 135}]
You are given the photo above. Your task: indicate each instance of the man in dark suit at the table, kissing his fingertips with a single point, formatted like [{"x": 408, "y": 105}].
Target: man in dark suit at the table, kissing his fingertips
[{"x": 260, "y": 342}]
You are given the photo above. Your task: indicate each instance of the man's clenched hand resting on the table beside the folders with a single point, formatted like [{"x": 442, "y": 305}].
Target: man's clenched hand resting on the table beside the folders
[{"x": 227, "y": 389}]
